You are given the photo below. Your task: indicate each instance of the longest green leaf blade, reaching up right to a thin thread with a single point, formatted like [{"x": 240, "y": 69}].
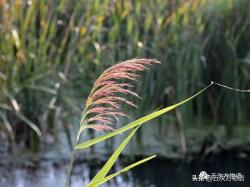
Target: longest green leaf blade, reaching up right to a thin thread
[{"x": 136, "y": 123}]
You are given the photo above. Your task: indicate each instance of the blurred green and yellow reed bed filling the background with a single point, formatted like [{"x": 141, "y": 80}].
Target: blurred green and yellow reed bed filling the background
[{"x": 52, "y": 51}]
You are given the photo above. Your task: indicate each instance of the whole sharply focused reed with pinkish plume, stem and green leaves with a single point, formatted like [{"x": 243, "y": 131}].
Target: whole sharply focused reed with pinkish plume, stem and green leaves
[{"x": 103, "y": 104}]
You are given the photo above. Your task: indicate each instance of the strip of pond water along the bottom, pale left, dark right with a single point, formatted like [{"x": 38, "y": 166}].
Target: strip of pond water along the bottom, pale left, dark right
[{"x": 159, "y": 173}]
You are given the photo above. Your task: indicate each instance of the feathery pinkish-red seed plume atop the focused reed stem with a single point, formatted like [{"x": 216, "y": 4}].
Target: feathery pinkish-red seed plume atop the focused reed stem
[{"x": 103, "y": 104}]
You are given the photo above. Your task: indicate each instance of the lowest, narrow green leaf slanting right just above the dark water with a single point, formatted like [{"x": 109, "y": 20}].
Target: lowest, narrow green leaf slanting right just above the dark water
[{"x": 101, "y": 181}]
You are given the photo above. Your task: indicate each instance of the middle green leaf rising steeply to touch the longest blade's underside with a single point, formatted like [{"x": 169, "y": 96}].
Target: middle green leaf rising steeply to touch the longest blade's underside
[{"x": 105, "y": 169}]
